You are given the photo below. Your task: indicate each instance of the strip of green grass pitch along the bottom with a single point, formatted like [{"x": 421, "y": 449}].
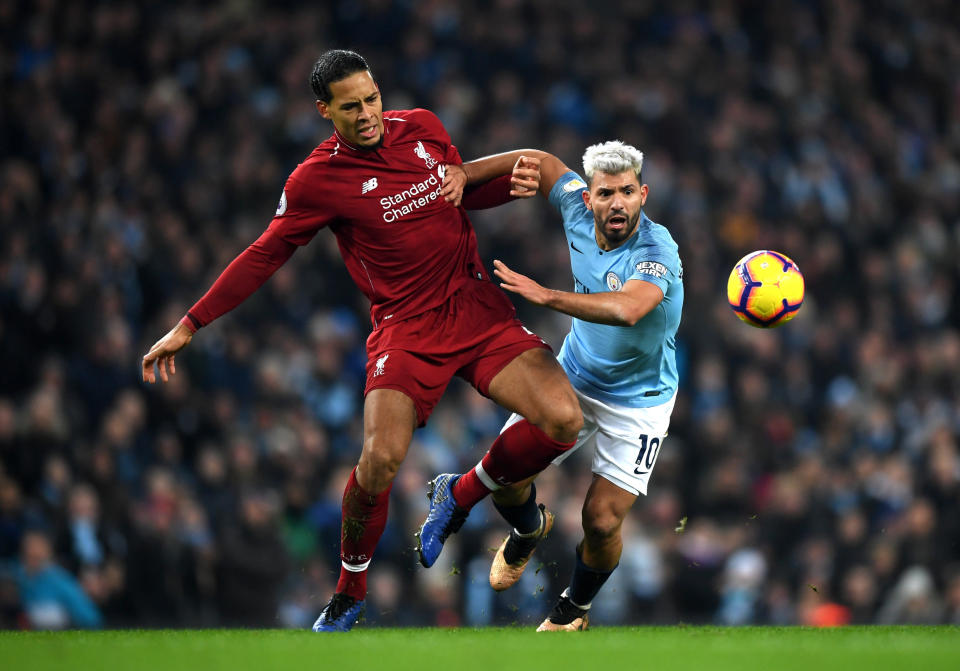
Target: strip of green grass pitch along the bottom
[{"x": 493, "y": 649}]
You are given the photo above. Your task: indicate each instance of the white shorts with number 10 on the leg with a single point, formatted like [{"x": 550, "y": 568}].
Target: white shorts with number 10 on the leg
[{"x": 625, "y": 441}]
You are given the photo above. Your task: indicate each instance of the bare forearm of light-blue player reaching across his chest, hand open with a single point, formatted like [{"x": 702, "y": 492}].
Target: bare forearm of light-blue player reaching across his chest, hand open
[{"x": 618, "y": 308}]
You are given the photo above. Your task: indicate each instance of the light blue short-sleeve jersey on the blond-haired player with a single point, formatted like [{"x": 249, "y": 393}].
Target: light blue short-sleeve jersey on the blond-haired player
[{"x": 632, "y": 366}]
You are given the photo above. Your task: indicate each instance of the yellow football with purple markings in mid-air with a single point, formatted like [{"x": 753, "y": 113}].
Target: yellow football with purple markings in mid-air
[{"x": 765, "y": 289}]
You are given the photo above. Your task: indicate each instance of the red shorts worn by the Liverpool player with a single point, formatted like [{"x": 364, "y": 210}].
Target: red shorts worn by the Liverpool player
[{"x": 474, "y": 335}]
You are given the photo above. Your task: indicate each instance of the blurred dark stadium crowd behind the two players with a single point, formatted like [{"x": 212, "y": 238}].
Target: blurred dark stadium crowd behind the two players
[{"x": 812, "y": 475}]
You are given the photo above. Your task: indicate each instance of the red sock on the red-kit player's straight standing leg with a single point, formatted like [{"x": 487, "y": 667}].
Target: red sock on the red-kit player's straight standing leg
[{"x": 363, "y": 517}]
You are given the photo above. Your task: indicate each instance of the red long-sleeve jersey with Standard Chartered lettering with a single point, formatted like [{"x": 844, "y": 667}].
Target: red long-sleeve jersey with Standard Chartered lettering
[{"x": 404, "y": 246}]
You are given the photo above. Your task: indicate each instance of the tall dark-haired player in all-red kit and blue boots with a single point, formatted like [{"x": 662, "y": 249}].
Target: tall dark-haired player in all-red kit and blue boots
[{"x": 389, "y": 186}]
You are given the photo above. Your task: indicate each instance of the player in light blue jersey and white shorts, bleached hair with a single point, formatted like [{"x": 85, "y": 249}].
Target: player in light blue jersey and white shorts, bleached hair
[{"x": 619, "y": 356}]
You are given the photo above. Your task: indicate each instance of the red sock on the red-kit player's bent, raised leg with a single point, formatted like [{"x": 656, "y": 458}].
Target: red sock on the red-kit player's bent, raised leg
[{"x": 520, "y": 451}]
